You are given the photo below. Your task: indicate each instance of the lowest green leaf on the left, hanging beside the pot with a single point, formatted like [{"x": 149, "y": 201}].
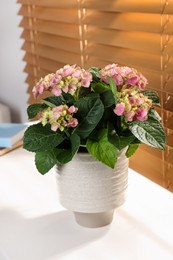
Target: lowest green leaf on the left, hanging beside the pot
[{"x": 44, "y": 161}]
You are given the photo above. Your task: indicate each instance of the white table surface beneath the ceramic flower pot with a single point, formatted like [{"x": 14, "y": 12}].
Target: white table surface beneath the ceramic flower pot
[{"x": 34, "y": 226}]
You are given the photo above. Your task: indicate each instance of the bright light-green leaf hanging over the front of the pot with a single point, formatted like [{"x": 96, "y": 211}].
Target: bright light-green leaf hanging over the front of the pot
[{"x": 102, "y": 149}]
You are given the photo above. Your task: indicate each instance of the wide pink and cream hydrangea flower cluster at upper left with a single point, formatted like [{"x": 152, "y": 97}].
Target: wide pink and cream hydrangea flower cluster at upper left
[{"x": 67, "y": 79}]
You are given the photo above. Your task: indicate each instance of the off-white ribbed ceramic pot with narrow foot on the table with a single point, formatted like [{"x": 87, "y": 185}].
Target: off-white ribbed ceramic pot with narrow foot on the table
[{"x": 91, "y": 189}]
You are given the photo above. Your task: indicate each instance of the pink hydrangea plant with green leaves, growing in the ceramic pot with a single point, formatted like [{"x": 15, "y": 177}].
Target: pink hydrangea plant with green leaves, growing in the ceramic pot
[{"x": 105, "y": 113}]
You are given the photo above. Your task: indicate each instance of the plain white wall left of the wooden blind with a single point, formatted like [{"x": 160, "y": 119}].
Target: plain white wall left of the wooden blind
[{"x": 12, "y": 78}]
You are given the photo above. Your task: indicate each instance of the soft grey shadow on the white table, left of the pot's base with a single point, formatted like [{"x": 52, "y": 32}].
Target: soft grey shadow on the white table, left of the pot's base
[{"x": 43, "y": 237}]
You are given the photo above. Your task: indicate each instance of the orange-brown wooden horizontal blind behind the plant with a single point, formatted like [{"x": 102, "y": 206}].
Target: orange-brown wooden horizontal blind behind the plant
[{"x": 96, "y": 33}]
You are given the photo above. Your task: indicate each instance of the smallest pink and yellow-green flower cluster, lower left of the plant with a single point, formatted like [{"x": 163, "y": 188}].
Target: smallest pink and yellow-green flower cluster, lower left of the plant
[{"x": 59, "y": 117}]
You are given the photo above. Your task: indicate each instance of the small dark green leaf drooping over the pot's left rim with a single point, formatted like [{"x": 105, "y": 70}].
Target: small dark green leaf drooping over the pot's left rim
[{"x": 66, "y": 155}]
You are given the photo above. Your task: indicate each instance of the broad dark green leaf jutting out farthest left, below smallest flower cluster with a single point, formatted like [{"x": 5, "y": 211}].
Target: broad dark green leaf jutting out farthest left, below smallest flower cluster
[{"x": 38, "y": 138}]
